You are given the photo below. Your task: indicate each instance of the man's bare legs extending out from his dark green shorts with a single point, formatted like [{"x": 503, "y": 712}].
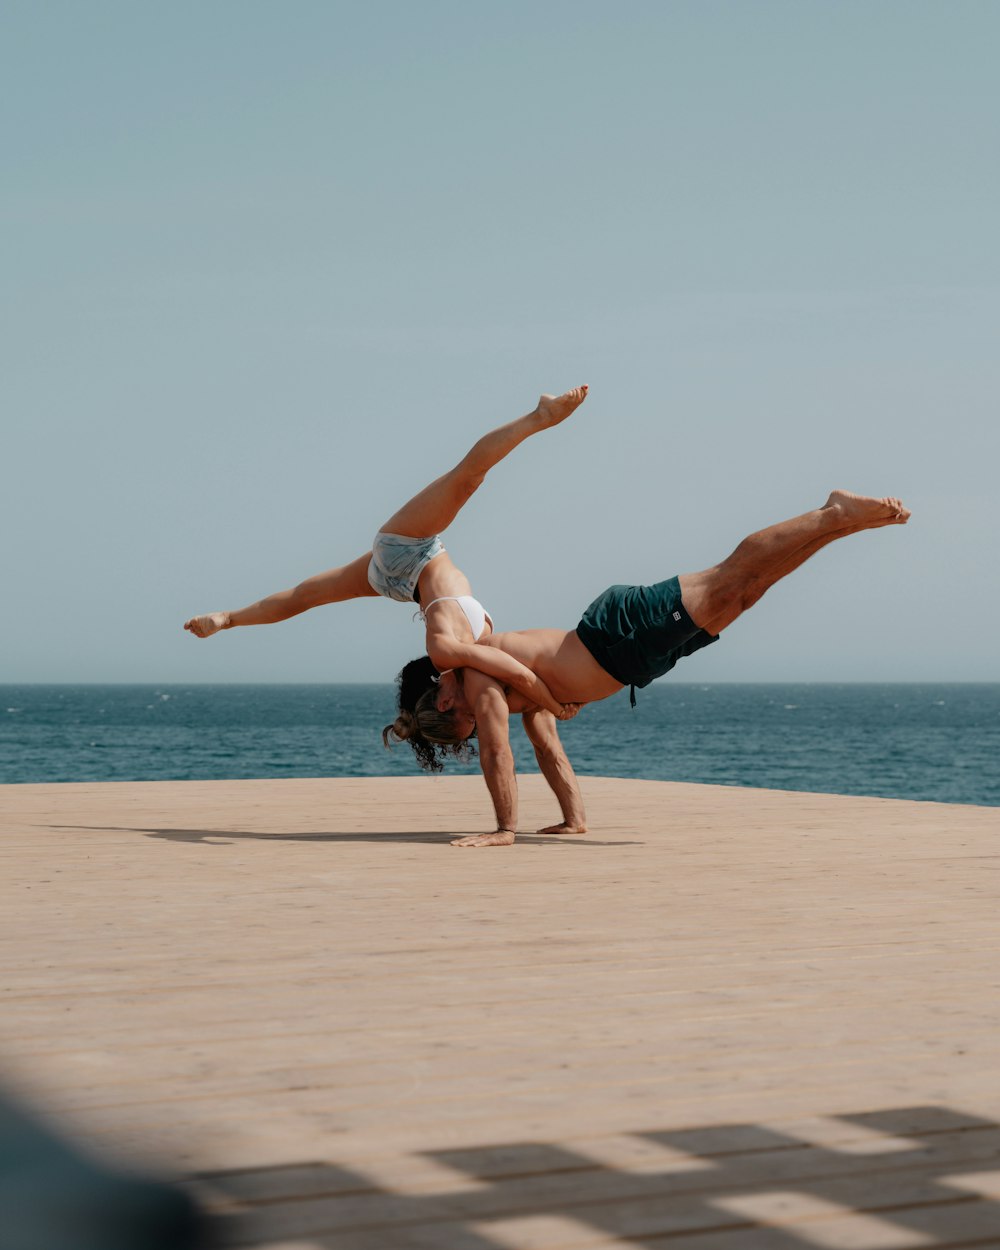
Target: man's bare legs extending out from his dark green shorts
[{"x": 717, "y": 597}]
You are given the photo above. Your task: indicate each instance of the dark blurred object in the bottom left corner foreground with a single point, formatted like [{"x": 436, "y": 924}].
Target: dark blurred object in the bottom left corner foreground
[{"x": 54, "y": 1197}]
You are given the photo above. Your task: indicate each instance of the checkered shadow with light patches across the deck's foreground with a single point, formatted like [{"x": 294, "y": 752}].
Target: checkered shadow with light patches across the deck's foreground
[{"x": 909, "y": 1177}]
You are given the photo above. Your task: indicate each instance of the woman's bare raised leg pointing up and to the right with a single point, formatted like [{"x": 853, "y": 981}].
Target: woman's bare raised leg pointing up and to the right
[{"x": 438, "y": 506}]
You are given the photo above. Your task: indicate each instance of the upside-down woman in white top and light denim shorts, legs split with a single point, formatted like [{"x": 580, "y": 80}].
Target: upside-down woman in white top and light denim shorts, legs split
[{"x": 408, "y": 562}]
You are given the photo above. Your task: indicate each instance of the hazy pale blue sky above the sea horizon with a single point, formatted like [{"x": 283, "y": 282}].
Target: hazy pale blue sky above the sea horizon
[{"x": 268, "y": 269}]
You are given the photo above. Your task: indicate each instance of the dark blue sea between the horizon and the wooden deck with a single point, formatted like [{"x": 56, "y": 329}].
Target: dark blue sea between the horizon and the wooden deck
[{"x": 908, "y": 742}]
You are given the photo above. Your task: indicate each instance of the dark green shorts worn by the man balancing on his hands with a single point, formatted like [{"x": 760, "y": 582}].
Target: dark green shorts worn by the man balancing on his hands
[{"x": 639, "y": 633}]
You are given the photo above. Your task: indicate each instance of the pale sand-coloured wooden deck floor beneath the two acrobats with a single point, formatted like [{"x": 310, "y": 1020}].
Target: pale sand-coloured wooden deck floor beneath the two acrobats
[{"x": 726, "y": 1019}]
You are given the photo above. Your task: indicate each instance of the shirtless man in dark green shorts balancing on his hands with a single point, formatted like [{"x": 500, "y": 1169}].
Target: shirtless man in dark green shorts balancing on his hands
[{"x": 629, "y": 636}]
